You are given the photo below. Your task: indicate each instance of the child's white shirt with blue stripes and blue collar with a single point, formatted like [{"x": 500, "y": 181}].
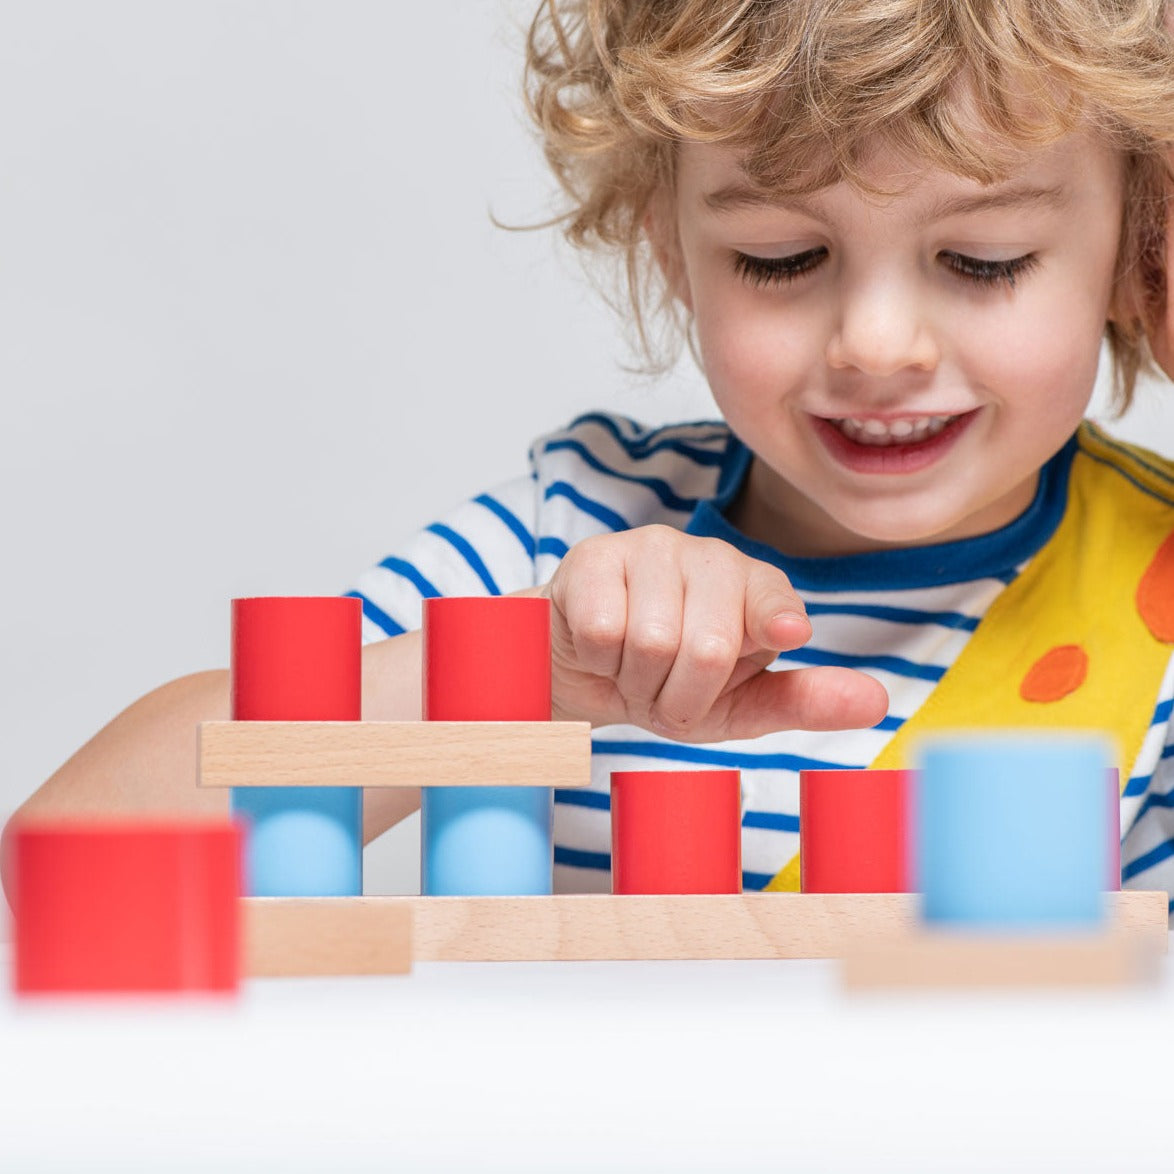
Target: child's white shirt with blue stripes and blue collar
[{"x": 902, "y": 616}]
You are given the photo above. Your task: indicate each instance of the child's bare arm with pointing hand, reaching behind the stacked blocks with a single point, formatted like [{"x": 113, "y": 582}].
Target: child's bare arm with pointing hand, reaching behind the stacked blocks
[{"x": 650, "y": 628}]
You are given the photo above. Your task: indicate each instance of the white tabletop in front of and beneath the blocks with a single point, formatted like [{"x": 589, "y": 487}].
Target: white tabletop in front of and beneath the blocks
[{"x": 590, "y": 1067}]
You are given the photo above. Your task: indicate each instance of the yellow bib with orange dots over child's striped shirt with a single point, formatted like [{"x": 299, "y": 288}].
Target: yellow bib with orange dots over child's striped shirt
[{"x": 1082, "y": 639}]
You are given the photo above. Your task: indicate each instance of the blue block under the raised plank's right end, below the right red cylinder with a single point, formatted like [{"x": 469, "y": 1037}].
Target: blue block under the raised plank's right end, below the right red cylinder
[{"x": 487, "y": 841}]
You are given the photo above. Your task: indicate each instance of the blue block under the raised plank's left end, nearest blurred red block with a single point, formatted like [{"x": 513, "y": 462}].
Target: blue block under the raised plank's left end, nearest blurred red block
[{"x": 302, "y": 841}]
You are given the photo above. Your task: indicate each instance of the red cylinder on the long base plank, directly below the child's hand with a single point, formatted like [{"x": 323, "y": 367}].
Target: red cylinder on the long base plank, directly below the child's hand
[{"x": 677, "y": 832}]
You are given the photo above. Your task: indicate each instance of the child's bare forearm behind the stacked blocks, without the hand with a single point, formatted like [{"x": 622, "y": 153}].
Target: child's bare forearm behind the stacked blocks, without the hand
[{"x": 145, "y": 760}]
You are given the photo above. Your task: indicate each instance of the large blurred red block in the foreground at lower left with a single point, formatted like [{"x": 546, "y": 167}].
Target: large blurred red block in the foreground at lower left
[{"x": 127, "y": 907}]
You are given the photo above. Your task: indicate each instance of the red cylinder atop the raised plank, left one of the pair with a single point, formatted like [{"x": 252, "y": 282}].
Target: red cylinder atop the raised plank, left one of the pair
[{"x": 298, "y": 659}]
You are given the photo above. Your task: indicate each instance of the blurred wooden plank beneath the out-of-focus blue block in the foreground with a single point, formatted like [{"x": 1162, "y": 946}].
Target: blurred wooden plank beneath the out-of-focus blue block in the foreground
[{"x": 923, "y": 960}]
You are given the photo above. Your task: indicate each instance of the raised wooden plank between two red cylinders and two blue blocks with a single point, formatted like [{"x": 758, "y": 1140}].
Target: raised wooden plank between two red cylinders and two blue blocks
[{"x": 395, "y": 754}]
